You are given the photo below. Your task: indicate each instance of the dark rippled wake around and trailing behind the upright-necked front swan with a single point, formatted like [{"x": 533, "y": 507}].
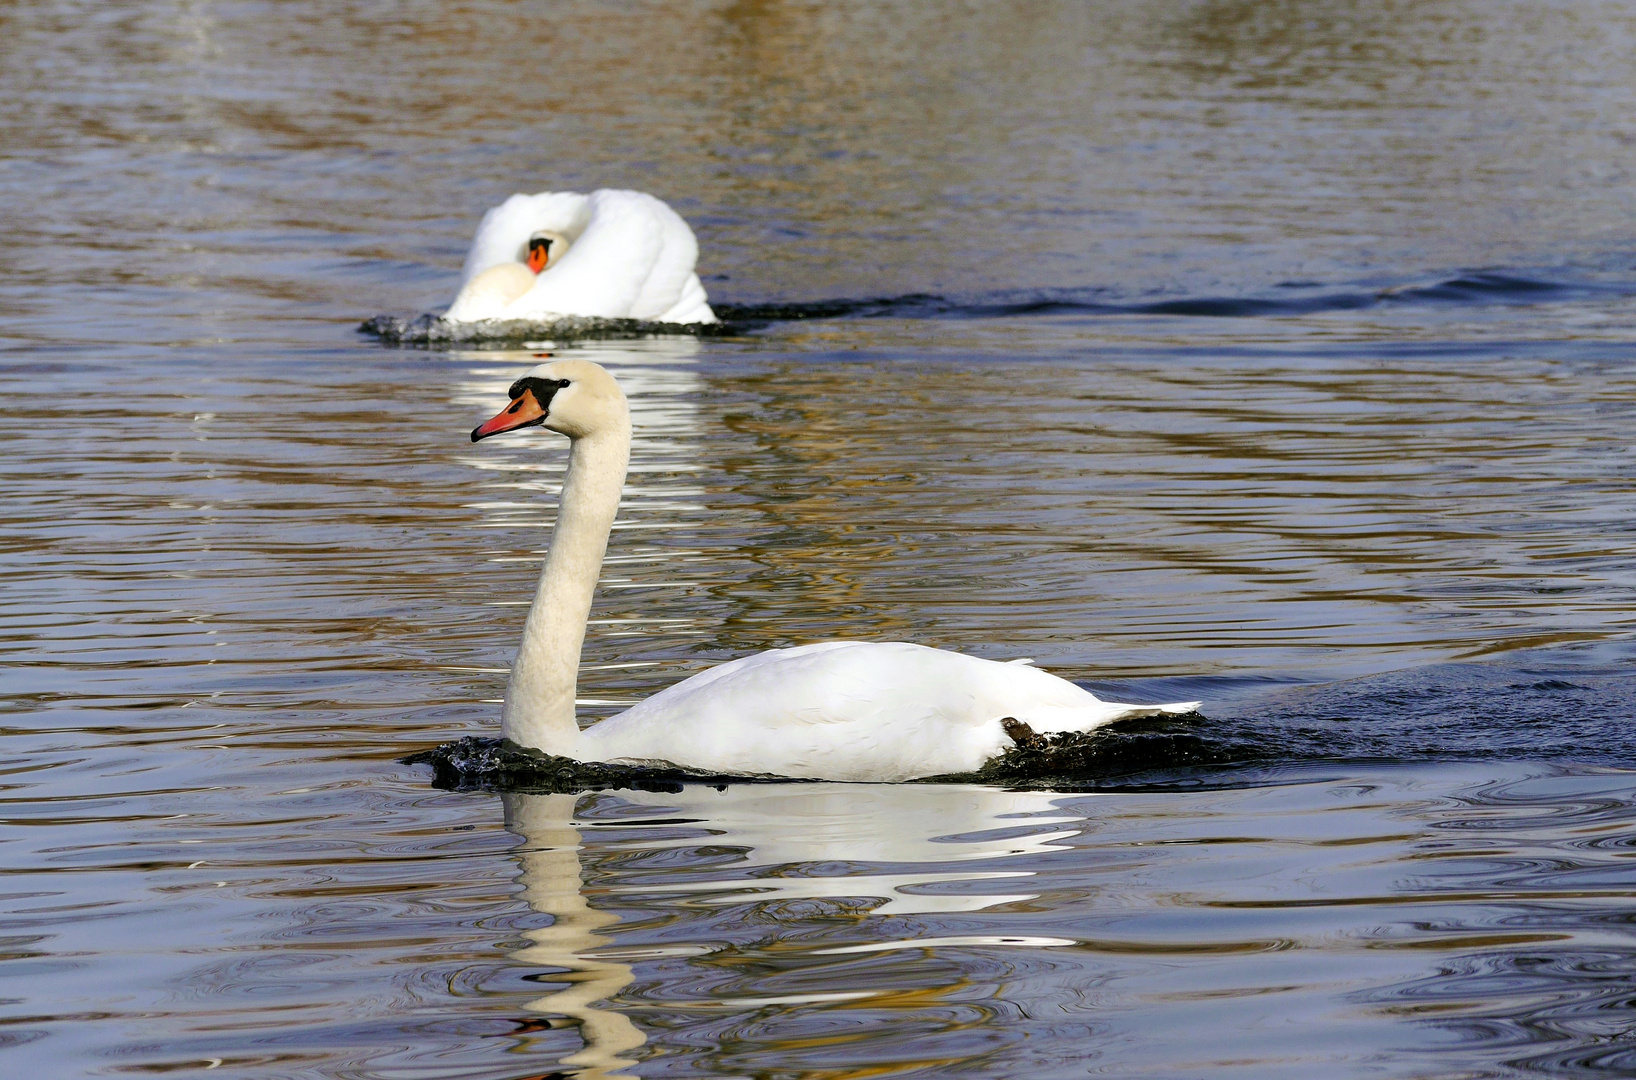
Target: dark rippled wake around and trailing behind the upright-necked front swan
[{"x": 1566, "y": 704}]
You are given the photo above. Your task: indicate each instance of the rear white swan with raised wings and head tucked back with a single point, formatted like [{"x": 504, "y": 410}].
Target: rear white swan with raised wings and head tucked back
[{"x": 609, "y": 254}]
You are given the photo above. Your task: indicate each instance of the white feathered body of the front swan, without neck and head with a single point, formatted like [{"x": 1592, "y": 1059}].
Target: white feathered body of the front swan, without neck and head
[{"x": 848, "y": 711}]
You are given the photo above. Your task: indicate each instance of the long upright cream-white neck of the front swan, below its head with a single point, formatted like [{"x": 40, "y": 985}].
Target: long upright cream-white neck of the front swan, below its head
[{"x": 541, "y": 695}]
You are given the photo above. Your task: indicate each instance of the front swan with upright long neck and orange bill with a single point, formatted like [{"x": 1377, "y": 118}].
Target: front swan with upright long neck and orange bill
[{"x": 837, "y": 711}]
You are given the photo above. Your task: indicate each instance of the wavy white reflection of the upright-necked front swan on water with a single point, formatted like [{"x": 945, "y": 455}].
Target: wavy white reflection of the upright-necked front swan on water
[{"x": 904, "y": 850}]
